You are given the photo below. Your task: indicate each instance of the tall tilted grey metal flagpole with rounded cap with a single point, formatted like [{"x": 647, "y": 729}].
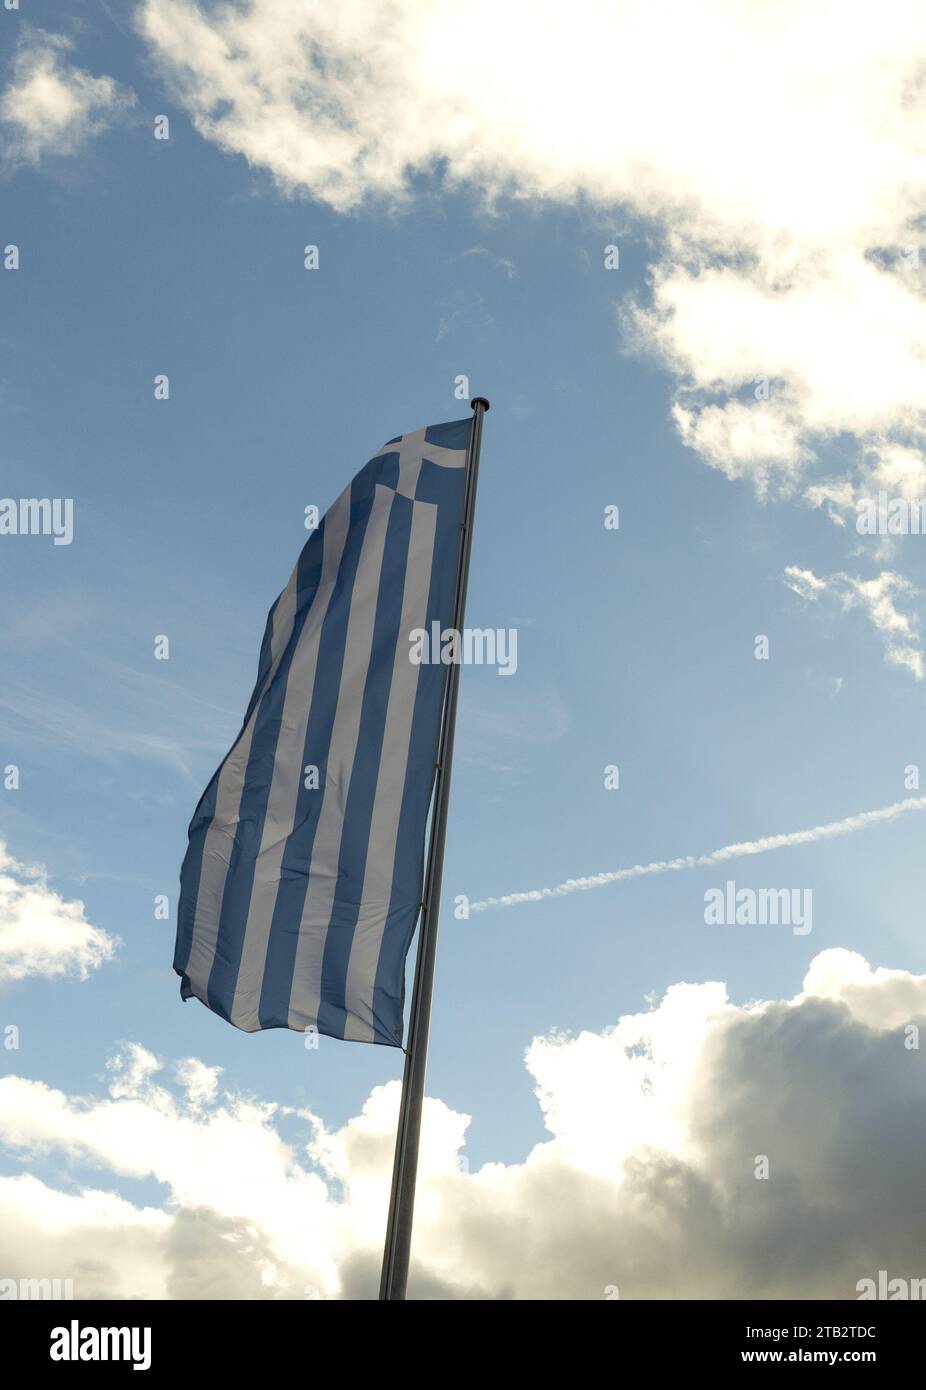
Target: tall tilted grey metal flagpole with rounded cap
[{"x": 405, "y": 1170}]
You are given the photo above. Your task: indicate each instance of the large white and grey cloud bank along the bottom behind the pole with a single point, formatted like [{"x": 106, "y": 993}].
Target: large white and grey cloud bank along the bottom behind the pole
[{"x": 647, "y": 1181}]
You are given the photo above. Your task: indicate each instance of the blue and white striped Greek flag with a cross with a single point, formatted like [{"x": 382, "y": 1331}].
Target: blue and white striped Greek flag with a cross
[{"x": 302, "y": 881}]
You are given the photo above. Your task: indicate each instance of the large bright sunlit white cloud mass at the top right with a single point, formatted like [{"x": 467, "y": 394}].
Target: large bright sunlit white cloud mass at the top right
[{"x": 777, "y": 149}]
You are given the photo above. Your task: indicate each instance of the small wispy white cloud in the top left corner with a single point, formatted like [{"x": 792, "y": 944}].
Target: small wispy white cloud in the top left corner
[{"x": 51, "y": 106}]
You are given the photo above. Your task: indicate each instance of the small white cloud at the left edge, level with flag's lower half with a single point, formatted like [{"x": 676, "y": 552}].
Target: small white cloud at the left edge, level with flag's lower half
[{"x": 42, "y": 933}]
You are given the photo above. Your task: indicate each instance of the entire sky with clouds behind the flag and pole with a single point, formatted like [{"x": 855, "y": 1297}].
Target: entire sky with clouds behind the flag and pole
[{"x": 689, "y": 279}]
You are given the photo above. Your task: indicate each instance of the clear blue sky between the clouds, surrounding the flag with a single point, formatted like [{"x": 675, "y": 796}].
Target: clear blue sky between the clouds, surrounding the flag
[{"x": 636, "y": 647}]
